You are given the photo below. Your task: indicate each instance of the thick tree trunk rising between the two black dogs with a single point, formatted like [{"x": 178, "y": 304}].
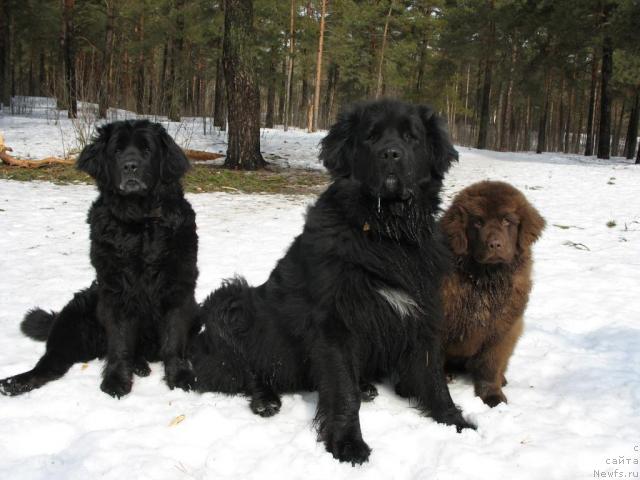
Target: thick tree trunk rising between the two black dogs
[{"x": 238, "y": 58}]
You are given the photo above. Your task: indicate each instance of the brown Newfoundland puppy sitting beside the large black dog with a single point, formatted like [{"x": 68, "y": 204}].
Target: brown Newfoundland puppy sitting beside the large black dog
[{"x": 490, "y": 228}]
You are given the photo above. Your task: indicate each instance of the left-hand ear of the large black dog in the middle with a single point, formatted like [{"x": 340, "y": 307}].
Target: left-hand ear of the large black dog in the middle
[{"x": 337, "y": 148}]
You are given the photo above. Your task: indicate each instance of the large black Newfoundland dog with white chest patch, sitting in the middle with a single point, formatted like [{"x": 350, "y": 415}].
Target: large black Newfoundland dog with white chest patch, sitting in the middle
[{"x": 356, "y": 297}]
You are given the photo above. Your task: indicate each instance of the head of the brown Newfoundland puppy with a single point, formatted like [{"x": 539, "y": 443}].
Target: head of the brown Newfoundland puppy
[{"x": 492, "y": 222}]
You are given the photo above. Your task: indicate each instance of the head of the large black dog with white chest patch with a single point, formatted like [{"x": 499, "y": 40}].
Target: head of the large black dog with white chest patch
[{"x": 393, "y": 148}]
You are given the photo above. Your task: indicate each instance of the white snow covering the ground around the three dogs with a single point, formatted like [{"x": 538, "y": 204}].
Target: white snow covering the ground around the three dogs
[{"x": 574, "y": 388}]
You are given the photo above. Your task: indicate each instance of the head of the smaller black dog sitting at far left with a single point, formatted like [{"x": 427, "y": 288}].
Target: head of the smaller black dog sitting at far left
[{"x": 132, "y": 157}]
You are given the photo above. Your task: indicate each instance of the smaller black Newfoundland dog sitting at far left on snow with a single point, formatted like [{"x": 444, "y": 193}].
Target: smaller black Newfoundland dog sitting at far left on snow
[{"x": 144, "y": 245}]
